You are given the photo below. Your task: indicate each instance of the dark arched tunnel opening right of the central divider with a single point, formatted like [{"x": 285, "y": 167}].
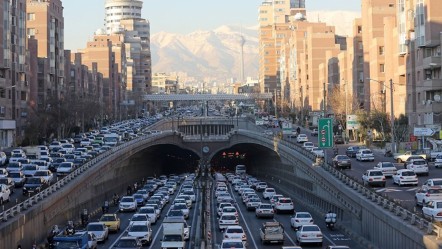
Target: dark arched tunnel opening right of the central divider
[{"x": 252, "y": 155}]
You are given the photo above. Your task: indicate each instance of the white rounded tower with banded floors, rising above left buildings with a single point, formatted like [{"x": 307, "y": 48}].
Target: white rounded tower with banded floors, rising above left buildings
[{"x": 117, "y": 10}]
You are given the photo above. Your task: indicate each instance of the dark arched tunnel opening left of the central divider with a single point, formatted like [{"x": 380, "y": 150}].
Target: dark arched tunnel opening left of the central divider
[{"x": 164, "y": 160}]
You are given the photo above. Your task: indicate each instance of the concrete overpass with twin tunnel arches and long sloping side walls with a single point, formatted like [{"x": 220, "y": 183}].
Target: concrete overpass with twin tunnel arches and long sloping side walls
[{"x": 378, "y": 222}]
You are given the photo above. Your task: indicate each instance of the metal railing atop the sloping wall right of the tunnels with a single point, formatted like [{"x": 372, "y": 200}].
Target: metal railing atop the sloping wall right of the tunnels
[{"x": 392, "y": 206}]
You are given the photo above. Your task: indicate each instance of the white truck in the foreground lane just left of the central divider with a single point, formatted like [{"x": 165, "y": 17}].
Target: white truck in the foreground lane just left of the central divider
[{"x": 173, "y": 233}]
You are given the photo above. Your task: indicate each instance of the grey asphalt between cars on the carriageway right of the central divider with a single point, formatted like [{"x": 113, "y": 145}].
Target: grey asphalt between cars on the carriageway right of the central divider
[{"x": 251, "y": 224}]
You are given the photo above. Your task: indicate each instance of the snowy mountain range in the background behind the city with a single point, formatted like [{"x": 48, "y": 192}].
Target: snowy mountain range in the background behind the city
[{"x": 216, "y": 54}]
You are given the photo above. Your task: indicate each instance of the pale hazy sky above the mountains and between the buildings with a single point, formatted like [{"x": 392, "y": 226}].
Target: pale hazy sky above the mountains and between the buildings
[{"x": 177, "y": 16}]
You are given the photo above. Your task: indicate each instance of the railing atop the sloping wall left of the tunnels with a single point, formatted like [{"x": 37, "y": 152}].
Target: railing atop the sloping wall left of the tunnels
[{"x": 29, "y": 202}]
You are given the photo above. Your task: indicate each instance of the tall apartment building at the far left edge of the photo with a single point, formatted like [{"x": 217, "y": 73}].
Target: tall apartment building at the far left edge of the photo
[{"x": 14, "y": 85}]
